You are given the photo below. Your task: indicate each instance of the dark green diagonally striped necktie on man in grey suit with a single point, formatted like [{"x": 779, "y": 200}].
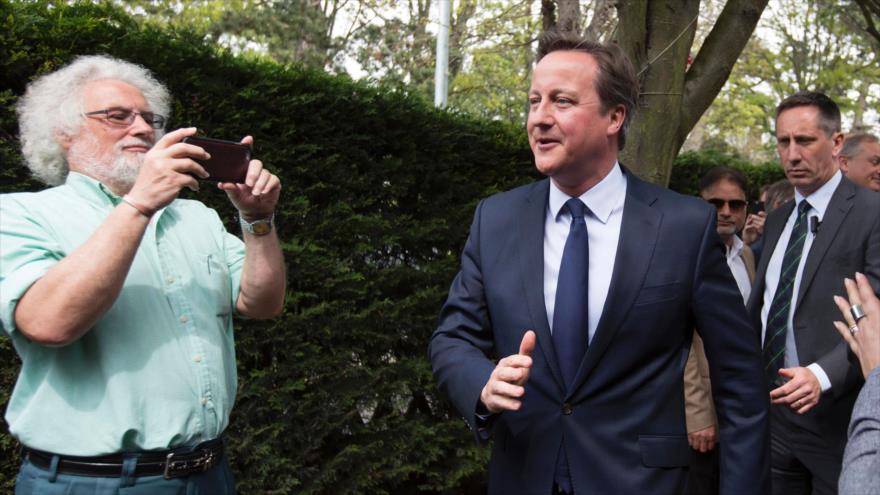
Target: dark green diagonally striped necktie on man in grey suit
[{"x": 777, "y": 318}]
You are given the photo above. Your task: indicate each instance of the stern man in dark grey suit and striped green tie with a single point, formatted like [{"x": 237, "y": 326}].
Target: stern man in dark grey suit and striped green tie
[{"x": 830, "y": 230}]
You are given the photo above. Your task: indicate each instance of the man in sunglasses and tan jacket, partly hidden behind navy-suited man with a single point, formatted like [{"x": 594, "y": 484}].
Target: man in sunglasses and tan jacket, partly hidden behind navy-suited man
[{"x": 725, "y": 189}]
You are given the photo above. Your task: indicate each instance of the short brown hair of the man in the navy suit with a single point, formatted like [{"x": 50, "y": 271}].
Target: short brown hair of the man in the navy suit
[{"x": 616, "y": 82}]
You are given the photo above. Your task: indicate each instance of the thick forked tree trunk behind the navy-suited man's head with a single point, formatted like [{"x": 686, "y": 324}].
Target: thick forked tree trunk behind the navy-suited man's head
[{"x": 658, "y": 35}]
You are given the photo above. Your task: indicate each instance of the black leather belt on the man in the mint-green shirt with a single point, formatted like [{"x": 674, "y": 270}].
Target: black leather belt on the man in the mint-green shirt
[{"x": 174, "y": 463}]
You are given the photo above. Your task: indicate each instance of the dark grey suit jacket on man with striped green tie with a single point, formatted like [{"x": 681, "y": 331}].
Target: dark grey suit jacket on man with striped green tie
[{"x": 848, "y": 240}]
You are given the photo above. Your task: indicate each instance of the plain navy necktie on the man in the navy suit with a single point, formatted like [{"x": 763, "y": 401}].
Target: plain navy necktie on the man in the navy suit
[{"x": 570, "y": 332}]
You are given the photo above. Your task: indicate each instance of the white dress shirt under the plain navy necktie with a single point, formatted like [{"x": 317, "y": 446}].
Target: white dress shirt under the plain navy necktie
[{"x": 605, "y": 202}]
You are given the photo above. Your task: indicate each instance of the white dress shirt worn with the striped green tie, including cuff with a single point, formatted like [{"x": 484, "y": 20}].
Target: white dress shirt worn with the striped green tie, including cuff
[{"x": 818, "y": 204}]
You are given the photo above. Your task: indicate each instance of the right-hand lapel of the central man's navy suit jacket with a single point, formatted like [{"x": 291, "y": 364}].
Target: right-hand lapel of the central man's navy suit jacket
[{"x": 638, "y": 236}]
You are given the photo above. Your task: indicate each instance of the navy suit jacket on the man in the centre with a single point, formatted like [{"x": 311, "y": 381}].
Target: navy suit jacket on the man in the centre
[{"x": 623, "y": 419}]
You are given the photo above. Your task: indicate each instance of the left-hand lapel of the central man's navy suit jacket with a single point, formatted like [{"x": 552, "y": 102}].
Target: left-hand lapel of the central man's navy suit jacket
[{"x": 531, "y": 226}]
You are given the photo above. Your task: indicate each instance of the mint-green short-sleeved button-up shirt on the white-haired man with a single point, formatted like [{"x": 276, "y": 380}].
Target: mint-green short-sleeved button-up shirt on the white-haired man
[{"x": 158, "y": 369}]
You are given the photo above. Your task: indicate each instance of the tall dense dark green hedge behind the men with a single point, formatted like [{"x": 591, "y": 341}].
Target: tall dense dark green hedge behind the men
[{"x": 336, "y": 395}]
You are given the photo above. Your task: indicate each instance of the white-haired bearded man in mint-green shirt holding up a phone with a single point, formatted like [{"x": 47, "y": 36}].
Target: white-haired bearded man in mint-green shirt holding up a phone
[{"x": 119, "y": 297}]
